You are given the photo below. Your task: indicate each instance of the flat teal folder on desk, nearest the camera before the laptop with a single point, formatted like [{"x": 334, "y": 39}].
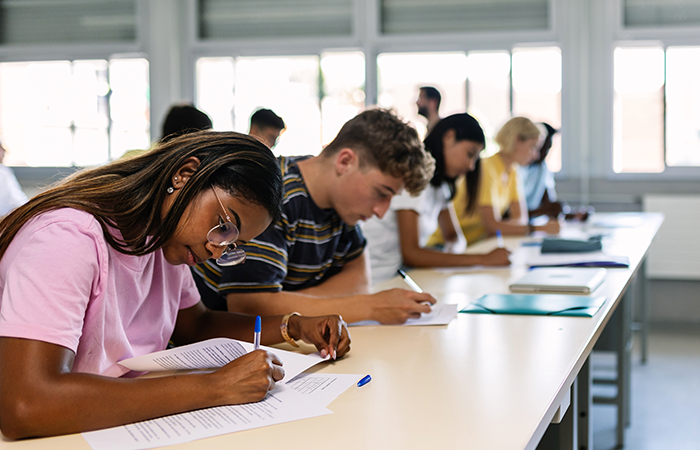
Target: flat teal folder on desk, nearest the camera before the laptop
[{"x": 536, "y": 304}]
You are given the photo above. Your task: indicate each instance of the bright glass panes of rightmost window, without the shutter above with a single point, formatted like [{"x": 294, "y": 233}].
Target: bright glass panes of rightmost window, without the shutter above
[{"x": 656, "y": 110}]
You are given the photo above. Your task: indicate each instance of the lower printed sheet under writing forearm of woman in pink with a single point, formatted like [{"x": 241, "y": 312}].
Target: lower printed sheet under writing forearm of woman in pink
[{"x": 281, "y": 405}]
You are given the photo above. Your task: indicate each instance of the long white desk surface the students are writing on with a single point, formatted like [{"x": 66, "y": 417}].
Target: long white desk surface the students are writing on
[{"x": 481, "y": 382}]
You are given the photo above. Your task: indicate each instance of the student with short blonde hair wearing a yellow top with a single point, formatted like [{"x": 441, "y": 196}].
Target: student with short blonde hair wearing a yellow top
[{"x": 499, "y": 190}]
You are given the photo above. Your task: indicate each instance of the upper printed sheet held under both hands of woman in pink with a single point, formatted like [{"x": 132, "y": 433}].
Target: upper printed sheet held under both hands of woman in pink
[{"x": 215, "y": 353}]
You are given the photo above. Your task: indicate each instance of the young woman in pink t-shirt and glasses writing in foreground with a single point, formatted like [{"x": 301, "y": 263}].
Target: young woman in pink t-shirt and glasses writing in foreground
[{"x": 92, "y": 271}]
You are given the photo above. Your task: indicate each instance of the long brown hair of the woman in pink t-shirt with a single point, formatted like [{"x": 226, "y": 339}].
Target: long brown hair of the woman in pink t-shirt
[{"x": 128, "y": 194}]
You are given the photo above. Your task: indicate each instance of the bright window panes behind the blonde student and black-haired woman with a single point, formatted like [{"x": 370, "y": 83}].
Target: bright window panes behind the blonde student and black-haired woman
[{"x": 492, "y": 86}]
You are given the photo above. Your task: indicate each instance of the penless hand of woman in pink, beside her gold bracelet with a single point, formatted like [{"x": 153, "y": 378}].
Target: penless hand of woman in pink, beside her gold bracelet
[{"x": 328, "y": 333}]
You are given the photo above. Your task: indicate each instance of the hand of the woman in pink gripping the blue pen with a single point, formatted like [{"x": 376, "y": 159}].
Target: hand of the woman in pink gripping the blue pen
[{"x": 248, "y": 378}]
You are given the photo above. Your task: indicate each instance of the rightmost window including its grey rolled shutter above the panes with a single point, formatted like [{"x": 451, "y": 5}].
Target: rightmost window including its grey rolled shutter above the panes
[{"x": 656, "y": 115}]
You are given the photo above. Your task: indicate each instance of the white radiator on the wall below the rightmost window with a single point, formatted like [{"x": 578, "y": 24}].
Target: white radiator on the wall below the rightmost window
[{"x": 675, "y": 253}]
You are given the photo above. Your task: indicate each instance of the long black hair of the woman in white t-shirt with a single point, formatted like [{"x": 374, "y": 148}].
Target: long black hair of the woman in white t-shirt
[{"x": 466, "y": 128}]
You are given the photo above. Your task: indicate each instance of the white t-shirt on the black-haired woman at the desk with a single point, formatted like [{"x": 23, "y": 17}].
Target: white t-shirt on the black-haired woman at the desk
[{"x": 383, "y": 235}]
